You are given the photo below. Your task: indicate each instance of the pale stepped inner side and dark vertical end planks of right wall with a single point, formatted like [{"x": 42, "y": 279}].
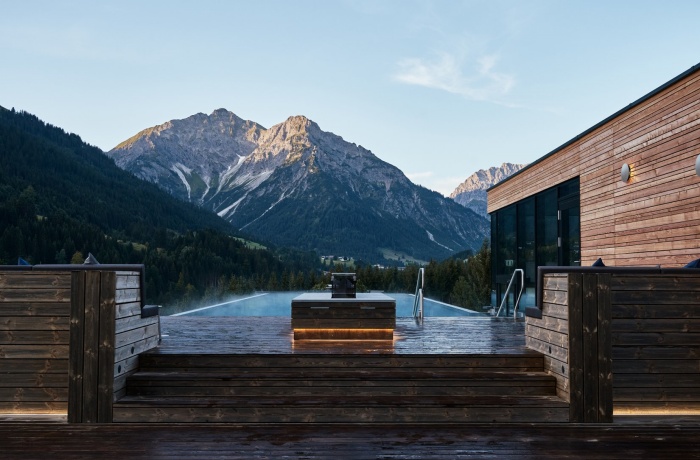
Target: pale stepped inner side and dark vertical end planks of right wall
[{"x": 574, "y": 337}]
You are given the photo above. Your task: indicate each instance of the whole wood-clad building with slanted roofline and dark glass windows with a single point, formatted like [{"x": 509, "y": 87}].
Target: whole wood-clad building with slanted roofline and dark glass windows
[{"x": 572, "y": 206}]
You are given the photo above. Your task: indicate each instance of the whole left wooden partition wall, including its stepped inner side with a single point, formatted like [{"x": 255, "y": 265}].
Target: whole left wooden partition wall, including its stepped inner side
[{"x": 69, "y": 336}]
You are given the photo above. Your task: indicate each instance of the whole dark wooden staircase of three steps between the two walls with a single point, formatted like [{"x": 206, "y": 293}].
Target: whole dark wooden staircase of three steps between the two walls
[{"x": 340, "y": 388}]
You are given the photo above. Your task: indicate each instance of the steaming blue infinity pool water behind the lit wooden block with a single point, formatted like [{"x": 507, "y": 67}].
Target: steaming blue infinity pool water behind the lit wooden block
[{"x": 280, "y": 304}]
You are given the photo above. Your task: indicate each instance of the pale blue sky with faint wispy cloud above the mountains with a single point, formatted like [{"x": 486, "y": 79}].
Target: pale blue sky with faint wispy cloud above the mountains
[{"x": 438, "y": 88}]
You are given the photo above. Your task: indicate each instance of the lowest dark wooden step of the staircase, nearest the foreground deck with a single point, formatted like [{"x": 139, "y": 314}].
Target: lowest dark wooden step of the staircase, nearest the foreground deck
[{"x": 346, "y": 409}]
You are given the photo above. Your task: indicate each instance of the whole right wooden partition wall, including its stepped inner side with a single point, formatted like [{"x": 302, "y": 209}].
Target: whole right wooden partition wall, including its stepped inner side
[{"x": 622, "y": 340}]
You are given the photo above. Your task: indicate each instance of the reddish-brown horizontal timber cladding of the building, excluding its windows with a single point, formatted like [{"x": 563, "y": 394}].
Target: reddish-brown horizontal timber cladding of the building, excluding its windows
[{"x": 653, "y": 218}]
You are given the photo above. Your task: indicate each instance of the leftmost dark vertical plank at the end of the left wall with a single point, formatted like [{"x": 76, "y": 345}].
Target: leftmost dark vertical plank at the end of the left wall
[{"x": 77, "y": 331}]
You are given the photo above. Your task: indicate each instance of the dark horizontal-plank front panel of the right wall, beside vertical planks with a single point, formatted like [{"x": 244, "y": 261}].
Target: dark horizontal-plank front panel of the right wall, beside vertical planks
[{"x": 656, "y": 343}]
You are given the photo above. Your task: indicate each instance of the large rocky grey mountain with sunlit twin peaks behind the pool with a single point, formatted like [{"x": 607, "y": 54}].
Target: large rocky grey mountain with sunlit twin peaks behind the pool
[{"x": 296, "y": 185}]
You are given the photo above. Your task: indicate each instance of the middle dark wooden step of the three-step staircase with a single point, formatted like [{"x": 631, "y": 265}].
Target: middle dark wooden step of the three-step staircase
[{"x": 339, "y": 382}]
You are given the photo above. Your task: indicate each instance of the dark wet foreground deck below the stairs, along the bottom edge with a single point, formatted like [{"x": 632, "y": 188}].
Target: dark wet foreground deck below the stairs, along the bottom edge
[{"x": 75, "y": 441}]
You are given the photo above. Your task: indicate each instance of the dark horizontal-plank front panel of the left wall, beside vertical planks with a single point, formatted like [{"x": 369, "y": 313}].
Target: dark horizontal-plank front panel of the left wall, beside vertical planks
[{"x": 34, "y": 337}]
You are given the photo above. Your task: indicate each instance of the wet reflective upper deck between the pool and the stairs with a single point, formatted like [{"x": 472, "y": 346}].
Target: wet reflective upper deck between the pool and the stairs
[{"x": 273, "y": 335}]
